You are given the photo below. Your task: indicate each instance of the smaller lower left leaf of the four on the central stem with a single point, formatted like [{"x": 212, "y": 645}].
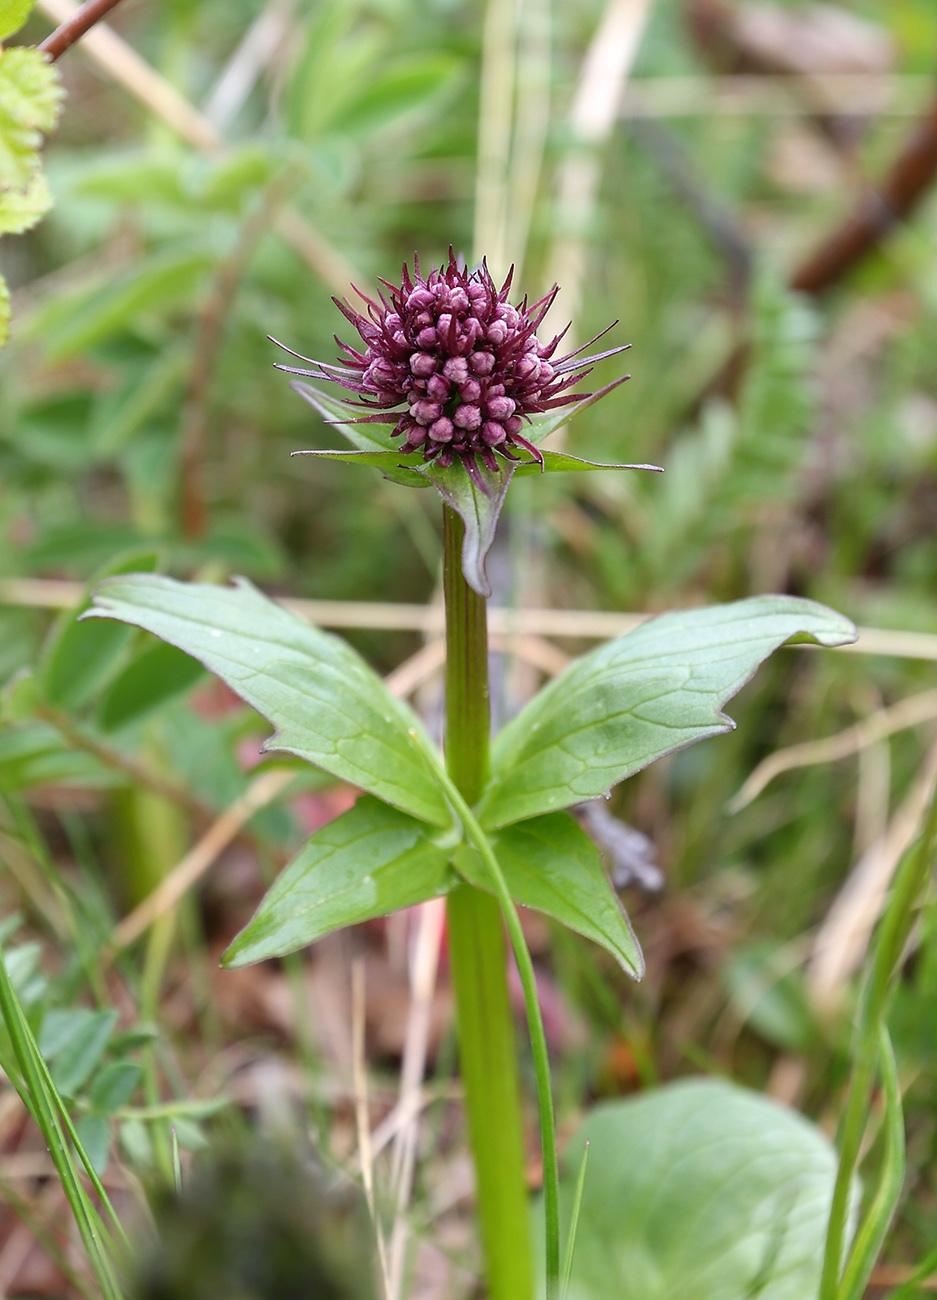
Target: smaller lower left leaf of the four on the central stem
[{"x": 368, "y": 863}]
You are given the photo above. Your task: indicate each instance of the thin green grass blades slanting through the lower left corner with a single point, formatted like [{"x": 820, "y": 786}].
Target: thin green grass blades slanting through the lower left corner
[{"x": 42, "y": 1100}]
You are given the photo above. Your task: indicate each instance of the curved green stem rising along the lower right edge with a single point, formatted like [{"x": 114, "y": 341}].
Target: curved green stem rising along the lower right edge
[{"x": 910, "y": 881}]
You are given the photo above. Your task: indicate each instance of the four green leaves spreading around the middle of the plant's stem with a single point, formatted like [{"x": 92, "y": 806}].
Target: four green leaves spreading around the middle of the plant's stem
[{"x": 611, "y": 713}]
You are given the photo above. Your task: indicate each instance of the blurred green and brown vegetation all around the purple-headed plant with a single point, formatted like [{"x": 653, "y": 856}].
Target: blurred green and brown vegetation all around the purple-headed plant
[{"x": 281, "y": 151}]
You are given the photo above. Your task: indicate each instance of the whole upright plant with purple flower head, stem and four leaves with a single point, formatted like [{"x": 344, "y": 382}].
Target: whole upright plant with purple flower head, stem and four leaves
[{"x": 488, "y": 829}]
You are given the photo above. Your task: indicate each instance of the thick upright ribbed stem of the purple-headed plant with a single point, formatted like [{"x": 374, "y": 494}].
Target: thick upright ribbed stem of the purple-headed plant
[{"x": 479, "y": 957}]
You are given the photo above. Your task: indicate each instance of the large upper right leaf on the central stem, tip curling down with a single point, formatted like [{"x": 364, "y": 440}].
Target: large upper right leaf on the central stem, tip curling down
[{"x": 640, "y": 697}]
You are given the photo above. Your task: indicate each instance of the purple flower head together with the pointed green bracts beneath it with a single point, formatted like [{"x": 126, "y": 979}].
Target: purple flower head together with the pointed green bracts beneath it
[{"x": 467, "y": 385}]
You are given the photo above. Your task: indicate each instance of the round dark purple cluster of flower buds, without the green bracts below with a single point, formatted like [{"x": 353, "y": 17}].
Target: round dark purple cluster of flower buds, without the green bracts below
[{"x": 454, "y": 367}]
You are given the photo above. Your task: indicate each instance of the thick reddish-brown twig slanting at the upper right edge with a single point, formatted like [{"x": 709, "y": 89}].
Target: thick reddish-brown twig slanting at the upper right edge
[{"x": 877, "y": 214}]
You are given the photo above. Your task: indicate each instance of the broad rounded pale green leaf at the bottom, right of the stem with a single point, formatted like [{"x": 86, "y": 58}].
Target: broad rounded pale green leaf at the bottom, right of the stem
[{"x": 704, "y": 1191}]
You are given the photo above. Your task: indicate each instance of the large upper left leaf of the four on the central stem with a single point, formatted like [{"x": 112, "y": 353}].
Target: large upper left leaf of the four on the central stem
[{"x": 327, "y": 704}]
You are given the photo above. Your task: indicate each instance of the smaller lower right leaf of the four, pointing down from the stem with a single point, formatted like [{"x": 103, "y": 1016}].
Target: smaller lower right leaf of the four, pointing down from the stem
[{"x": 552, "y": 865}]
